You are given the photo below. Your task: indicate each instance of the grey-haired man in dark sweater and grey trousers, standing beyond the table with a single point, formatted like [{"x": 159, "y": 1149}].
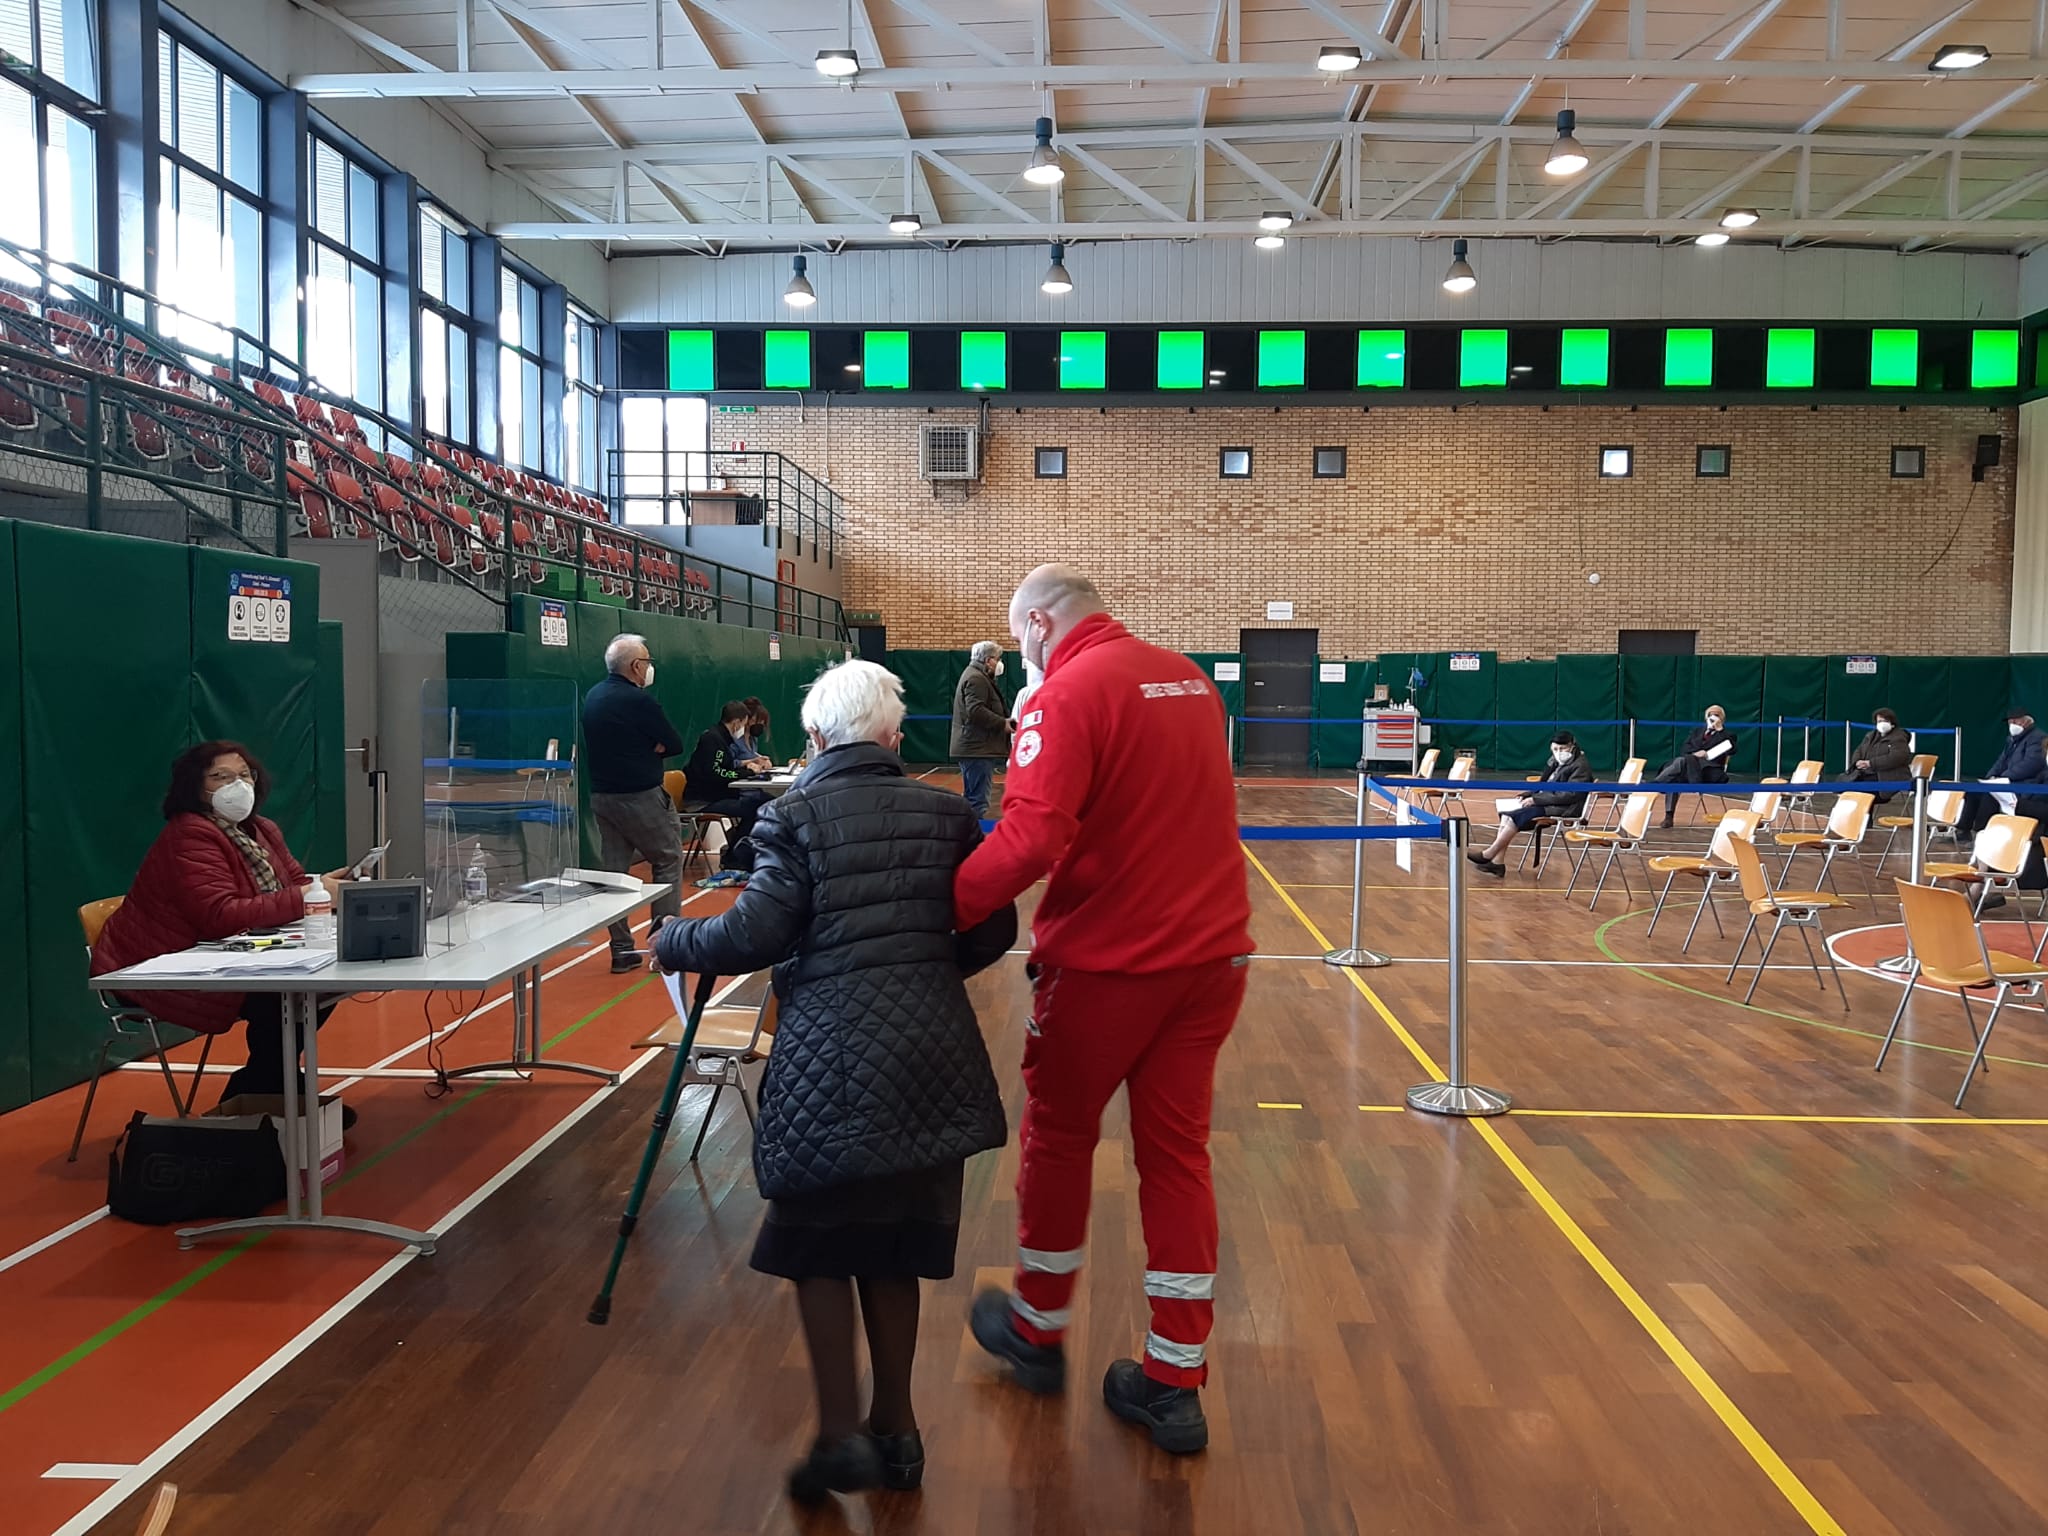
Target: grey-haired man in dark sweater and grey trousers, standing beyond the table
[{"x": 626, "y": 740}]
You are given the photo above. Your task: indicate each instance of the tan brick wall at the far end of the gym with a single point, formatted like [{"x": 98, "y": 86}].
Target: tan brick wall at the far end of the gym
[{"x": 1474, "y": 529}]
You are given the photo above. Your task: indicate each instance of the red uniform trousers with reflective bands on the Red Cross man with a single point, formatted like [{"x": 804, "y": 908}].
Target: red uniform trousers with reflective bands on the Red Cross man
[{"x": 1156, "y": 1035}]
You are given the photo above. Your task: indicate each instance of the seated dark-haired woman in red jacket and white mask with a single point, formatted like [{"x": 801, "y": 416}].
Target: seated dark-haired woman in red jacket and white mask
[{"x": 216, "y": 871}]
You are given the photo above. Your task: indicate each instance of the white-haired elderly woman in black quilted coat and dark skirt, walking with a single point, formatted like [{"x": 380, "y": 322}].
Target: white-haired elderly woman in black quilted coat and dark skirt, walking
[{"x": 880, "y": 1084}]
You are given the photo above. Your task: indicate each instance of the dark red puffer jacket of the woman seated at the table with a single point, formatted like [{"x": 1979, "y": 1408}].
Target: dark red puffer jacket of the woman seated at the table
[{"x": 196, "y": 886}]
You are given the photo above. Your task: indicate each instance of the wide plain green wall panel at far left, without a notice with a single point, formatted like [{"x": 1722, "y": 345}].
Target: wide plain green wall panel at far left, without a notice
[{"x": 95, "y": 753}]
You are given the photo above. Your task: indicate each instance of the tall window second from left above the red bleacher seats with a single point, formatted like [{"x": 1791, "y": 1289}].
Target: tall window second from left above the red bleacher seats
[{"x": 210, "y": 218}]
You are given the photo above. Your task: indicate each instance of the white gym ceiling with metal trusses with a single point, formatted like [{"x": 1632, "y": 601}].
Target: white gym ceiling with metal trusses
[{"x": 703, "y": 126}]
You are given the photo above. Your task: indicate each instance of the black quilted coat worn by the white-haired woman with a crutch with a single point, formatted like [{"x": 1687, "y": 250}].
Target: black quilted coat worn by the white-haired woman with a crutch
[{"x": 878, "y": 1066}]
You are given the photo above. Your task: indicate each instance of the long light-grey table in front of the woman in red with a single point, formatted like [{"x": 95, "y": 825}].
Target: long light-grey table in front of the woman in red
[{"x": 507, "y": 939}]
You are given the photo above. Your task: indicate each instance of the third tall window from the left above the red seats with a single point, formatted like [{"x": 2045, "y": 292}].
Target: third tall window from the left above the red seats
[{"x": 345, "y": 290}]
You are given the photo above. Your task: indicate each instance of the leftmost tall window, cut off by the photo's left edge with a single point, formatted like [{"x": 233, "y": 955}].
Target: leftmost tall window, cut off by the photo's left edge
[{"x": 48, "y": 183}]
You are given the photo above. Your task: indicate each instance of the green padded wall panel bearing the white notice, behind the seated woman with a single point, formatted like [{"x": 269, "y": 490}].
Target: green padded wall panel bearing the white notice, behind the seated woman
[{"x": 259, "y": 691}]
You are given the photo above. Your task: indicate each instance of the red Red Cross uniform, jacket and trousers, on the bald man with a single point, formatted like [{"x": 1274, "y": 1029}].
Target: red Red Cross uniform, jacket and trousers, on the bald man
[{"x": 1121, "y": 792}]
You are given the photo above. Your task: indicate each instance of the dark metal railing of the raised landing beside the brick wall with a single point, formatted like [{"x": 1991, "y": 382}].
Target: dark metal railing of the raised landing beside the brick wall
[{"x": 726, "y": 488}]
